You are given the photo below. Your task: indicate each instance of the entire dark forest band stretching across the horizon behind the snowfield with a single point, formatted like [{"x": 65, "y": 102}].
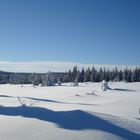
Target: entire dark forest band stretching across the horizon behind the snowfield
[{"x": 84, "y": 75}]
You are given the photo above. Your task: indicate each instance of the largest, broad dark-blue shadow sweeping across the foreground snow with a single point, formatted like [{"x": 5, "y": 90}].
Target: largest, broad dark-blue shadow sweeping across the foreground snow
[{"x": 72, "y": 120}]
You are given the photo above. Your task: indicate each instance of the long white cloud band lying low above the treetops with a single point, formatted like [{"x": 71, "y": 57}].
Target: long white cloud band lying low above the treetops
[{"x": 45, "y": 66}]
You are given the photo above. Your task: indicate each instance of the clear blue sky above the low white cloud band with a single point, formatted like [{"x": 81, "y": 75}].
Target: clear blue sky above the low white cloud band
[{"x": 84, "y": 31}]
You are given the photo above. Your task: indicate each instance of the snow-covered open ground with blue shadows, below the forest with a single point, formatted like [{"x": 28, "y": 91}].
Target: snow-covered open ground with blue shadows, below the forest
[{"x": 70, "y": 113}]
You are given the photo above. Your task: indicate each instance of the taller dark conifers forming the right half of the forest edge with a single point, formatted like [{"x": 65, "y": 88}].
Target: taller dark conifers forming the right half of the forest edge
[{"x": 95, "y": 75}]
